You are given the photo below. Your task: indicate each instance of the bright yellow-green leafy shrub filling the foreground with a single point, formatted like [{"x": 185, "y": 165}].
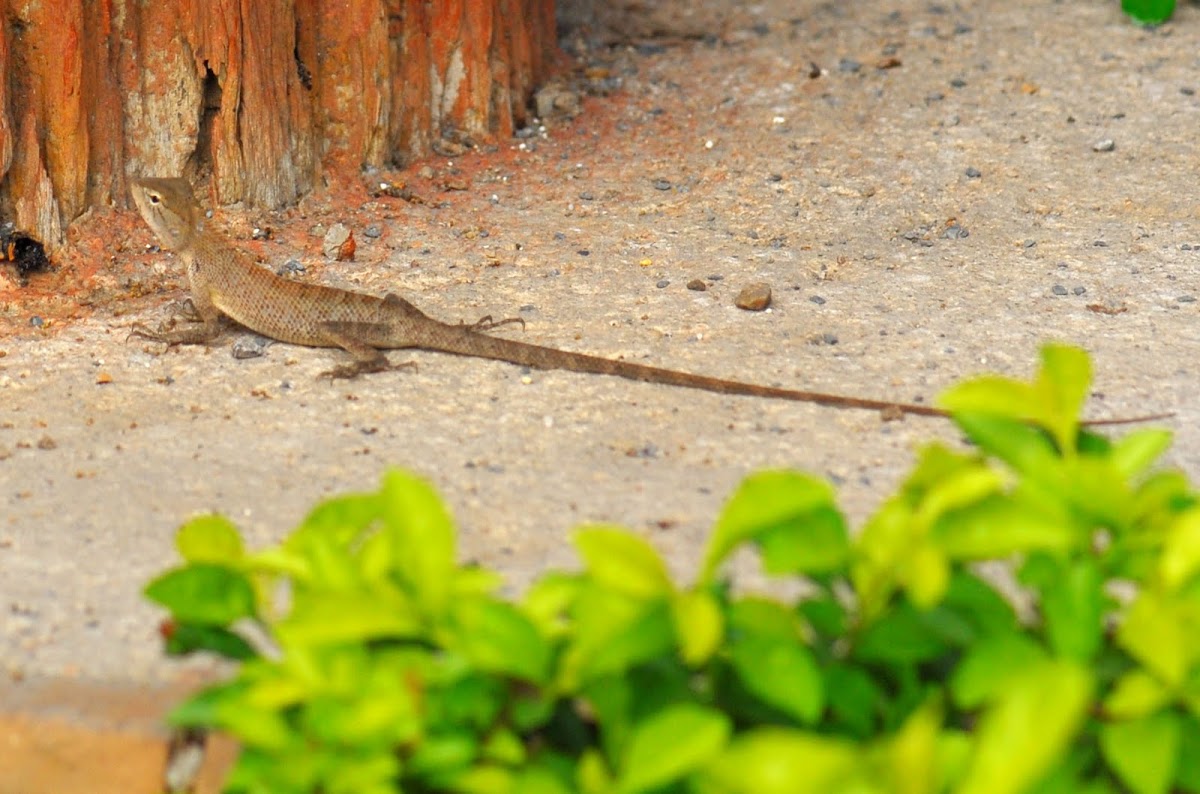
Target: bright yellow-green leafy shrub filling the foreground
[{"x": 385, "y": 666}]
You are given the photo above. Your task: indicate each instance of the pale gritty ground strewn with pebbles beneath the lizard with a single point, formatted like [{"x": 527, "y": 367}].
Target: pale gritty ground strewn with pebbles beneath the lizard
[{"x": 758, "y": 155}]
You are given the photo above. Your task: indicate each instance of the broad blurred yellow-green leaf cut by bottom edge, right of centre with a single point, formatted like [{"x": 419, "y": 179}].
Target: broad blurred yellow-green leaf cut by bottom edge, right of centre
[{"x": 776, "y": 761}]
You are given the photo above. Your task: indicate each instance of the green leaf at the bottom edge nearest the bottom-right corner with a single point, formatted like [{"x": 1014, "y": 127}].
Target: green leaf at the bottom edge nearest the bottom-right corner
[{"x": 1143, "y": 753}]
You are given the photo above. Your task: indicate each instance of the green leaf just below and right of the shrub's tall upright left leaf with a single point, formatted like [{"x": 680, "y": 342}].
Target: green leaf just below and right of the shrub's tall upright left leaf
[{"x": 499, "y": 639}]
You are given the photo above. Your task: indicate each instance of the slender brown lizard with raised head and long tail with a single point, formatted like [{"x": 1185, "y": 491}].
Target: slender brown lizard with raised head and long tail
[{"x": 226, "y": 282}]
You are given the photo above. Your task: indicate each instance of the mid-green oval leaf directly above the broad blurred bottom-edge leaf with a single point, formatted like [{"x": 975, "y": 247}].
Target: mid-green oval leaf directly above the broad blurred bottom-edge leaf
[{"x": 783, "y": 675}]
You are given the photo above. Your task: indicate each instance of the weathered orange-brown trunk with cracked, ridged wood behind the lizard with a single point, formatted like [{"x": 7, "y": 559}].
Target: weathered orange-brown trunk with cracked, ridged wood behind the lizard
[{"x": 263, "y": 97}]
